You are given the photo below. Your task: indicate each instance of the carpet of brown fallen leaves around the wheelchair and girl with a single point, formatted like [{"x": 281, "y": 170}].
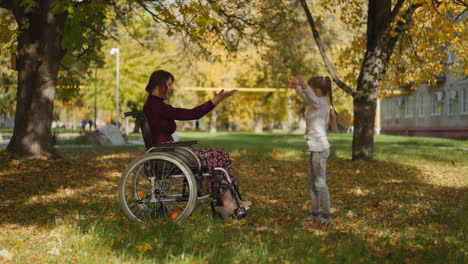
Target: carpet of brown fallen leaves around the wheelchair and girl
[{"x": 372, "y": 201}]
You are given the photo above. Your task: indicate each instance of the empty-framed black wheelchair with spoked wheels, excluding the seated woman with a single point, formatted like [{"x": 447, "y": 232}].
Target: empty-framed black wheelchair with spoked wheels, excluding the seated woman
[{"x": 168, "y": 181}]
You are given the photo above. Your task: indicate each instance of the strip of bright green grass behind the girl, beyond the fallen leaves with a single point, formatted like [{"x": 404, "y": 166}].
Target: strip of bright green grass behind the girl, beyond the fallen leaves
[{"x": 392, "y": 148}]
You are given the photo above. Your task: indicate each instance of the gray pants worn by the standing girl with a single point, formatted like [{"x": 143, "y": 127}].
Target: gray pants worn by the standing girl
[{"x": 318, "y": 181}]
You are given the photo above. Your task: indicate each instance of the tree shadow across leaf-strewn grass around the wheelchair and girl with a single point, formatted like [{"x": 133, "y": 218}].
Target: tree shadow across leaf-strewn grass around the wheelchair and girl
[{"x": 383, "y": 210}]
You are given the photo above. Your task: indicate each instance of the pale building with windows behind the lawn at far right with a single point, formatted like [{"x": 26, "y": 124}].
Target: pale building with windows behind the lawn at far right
[{"x": 440, "y": 111}]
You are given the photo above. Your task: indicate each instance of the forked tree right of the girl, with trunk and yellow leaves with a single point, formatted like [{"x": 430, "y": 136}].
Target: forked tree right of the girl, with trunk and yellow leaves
[{"x": 386, "y": 22}]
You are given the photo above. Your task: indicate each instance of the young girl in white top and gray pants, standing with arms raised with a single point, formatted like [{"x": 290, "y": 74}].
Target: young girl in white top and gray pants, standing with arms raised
[{"x": 317, "y": 94}]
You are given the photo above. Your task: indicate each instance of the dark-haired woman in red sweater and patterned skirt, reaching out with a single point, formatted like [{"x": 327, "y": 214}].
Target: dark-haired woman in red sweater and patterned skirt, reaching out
[{"x": 161, "y": 119}]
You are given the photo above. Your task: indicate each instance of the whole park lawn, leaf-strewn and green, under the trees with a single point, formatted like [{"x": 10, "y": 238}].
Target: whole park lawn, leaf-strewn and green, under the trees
[{"x": 407, "y": 206}]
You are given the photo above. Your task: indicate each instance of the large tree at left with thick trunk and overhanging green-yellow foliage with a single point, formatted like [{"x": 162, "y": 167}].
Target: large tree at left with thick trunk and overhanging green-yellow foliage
[{"x": 50, "y": 30}]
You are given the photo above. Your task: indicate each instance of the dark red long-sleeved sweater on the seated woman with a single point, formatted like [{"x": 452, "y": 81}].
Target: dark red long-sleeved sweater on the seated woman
[{"x": 161, "y": 117}]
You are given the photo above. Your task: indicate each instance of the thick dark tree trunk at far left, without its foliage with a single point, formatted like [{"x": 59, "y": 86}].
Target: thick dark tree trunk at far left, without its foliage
[{"x": 40, "y": 52}]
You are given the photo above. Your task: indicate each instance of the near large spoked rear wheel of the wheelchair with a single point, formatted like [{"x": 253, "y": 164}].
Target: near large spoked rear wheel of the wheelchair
[{"x": 157, "y": 186}]
